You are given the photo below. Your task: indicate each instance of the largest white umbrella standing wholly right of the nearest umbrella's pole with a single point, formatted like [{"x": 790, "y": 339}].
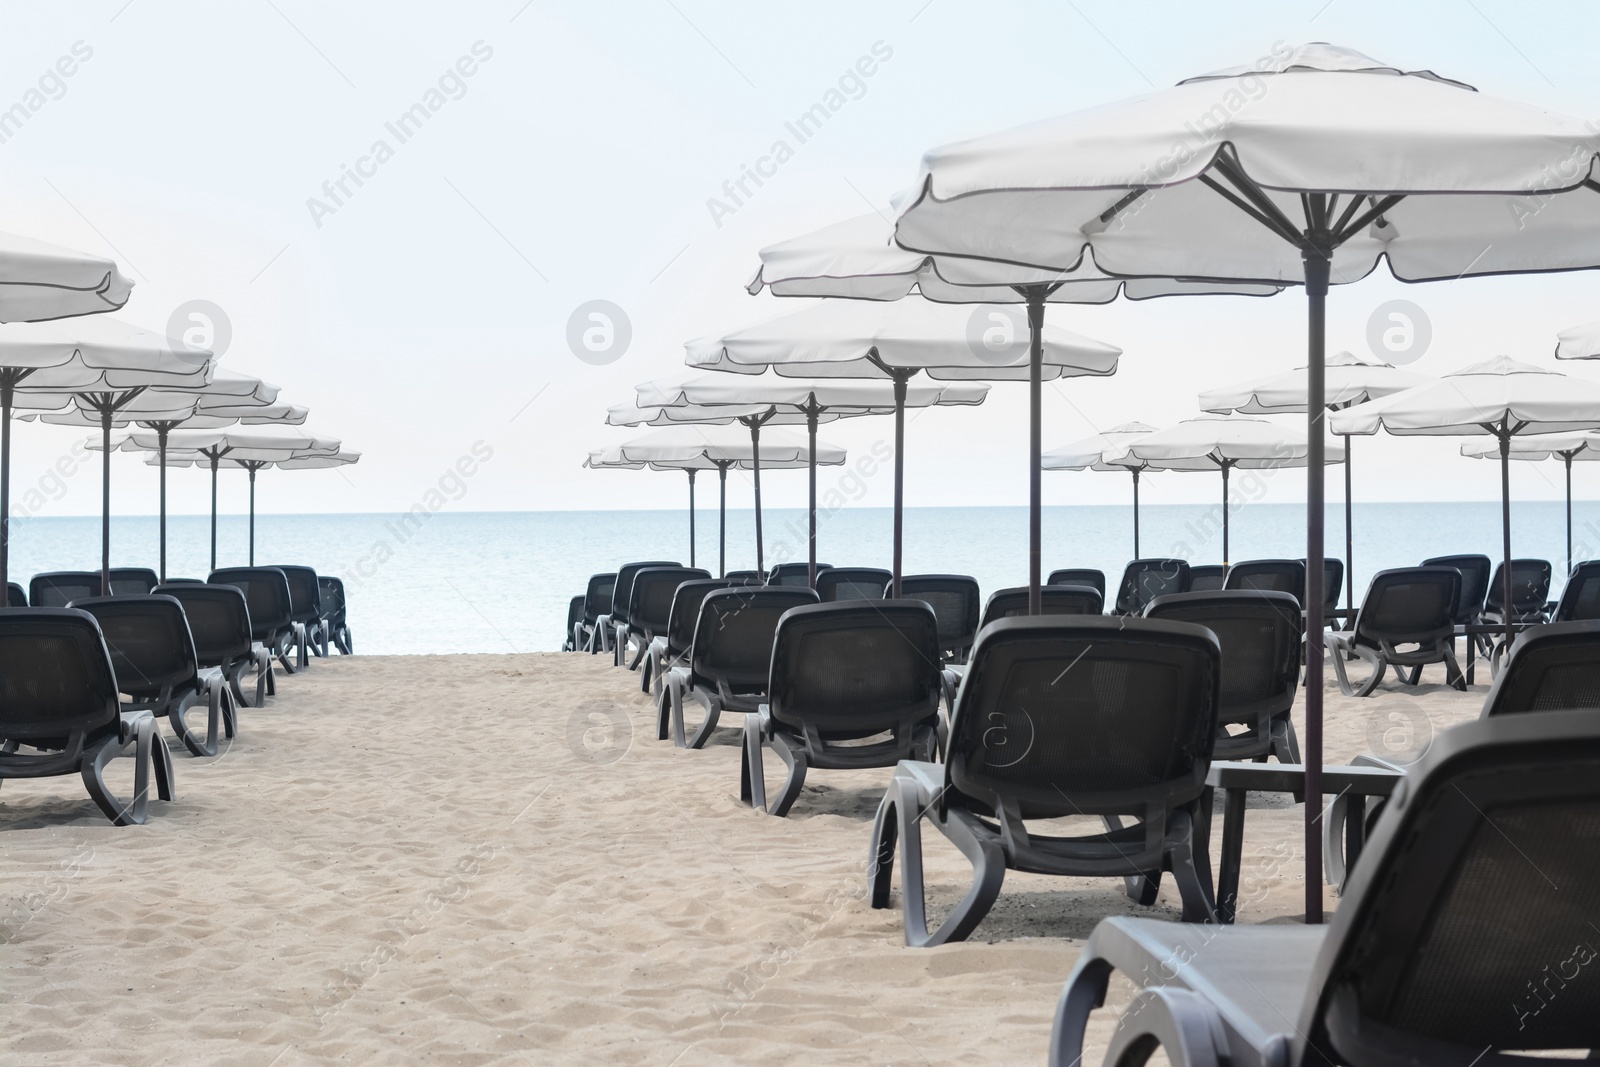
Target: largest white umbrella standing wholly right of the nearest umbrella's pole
[{"x": 1502, "y": 399}]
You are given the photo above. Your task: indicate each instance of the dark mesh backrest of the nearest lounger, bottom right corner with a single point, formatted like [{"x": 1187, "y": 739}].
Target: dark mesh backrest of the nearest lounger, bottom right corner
[{"x": 1468, "y": 925}]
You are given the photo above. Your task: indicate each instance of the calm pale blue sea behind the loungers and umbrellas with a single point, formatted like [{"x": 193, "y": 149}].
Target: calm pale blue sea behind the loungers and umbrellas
[{"x": 500, "y": 581}]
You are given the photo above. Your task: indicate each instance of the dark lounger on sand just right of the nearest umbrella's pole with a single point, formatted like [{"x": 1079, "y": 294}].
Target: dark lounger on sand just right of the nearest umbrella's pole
[{"x": 1407, "y": 605}]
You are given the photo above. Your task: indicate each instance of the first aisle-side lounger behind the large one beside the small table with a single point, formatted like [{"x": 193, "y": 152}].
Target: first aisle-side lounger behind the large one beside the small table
[{"x": 842, "y": 674}]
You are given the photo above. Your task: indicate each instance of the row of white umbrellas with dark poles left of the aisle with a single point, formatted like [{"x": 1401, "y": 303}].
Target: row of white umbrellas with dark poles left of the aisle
[{"x": 68, "y": 364}]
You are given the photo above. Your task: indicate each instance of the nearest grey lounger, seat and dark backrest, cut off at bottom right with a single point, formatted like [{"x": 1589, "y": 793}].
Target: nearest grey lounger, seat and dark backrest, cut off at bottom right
[{"x": 1455, "y": 943}]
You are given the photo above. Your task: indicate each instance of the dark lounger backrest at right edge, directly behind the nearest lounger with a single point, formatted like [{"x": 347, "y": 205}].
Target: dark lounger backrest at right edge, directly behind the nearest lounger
[{"x": 1553, "y": 668}]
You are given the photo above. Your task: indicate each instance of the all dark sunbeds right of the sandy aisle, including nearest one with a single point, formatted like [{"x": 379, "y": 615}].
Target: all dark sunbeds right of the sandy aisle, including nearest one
[{"x": 1137, "y": 719}]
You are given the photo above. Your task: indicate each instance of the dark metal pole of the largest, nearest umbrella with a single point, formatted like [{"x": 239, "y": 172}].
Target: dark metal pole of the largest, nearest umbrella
[{"x": 1318, "y": 258}]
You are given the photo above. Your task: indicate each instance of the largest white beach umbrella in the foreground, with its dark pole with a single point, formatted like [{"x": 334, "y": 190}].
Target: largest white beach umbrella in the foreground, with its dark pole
[{"x": 1310, "y": 167}]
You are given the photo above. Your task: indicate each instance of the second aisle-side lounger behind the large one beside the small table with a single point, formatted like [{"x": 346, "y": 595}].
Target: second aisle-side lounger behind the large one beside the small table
[{"x": 730, "y": 658}]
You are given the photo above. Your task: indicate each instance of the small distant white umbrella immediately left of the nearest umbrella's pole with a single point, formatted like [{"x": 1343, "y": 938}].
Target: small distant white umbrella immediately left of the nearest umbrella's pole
[{"x": 1223, "y": 442}]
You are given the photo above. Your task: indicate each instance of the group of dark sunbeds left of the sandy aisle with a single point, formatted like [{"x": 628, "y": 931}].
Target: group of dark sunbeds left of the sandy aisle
[{"x": 86, "y": 677}]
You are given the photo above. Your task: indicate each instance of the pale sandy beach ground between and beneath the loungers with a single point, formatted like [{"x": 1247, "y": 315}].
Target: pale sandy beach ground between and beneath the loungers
[{"x": 489, "y": 860}]
